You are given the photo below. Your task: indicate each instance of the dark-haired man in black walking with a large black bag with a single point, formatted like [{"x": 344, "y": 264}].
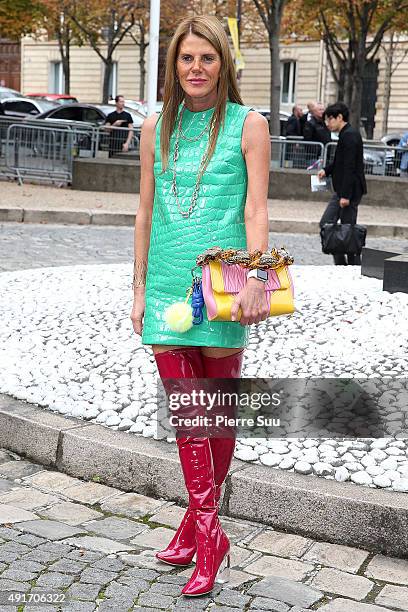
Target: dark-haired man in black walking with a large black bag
[{"x": 347, "y": 172}]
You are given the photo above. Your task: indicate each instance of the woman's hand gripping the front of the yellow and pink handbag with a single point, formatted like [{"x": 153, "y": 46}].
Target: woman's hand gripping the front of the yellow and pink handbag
[{"x": 253, "y": 303}]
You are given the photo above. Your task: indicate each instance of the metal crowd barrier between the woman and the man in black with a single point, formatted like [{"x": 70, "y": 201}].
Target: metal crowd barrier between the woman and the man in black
[{"x": 295, "y": 153}]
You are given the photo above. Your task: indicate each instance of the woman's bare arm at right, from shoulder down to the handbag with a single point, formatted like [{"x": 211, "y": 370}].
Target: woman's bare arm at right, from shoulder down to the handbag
[{"x": 257, "y": 154}]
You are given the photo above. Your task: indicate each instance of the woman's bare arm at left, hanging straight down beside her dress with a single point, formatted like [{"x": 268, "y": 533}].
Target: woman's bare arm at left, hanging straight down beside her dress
[{"x": 144, "y": 214}]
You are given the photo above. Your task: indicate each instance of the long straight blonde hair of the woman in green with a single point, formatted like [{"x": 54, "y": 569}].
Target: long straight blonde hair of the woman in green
[{"x": 211, "y": 29}]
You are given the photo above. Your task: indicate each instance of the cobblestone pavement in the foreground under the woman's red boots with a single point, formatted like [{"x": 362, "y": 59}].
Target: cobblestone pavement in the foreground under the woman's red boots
[{"x": 87, "y": 546}]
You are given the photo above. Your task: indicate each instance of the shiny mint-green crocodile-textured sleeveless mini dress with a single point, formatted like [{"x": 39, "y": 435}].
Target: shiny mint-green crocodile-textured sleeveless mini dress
[{"x": 216, "y": 220}]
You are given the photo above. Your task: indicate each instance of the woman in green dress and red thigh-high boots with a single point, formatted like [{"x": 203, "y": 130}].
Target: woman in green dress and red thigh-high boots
[{"x": 213, "y": 193}]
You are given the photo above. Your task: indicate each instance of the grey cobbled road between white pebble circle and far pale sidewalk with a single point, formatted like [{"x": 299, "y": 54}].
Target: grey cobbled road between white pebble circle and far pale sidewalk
[{"x": 33, "y": 246}]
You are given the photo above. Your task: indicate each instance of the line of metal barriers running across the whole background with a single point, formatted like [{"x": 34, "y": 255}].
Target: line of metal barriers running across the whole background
[{"x": 39, "y": 150}]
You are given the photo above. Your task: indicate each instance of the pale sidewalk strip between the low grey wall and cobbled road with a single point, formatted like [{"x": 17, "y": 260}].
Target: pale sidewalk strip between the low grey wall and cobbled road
[{"x": 46, "y": 204}]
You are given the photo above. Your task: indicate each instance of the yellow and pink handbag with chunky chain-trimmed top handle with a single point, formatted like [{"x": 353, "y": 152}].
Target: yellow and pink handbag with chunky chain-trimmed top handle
[{"x": 224, "y": 274}]
